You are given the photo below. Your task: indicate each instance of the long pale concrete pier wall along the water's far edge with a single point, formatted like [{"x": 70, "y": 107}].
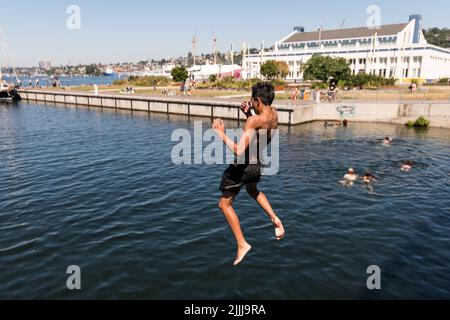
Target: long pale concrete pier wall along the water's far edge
[{"x": 358, "y": 111}]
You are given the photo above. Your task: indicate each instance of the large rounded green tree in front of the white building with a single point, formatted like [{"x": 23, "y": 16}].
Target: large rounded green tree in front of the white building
[{"x": 324, "y": 67}]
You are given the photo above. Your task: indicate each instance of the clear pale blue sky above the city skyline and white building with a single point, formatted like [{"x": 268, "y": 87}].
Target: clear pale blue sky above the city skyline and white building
[{"x": 133, "y": 30}]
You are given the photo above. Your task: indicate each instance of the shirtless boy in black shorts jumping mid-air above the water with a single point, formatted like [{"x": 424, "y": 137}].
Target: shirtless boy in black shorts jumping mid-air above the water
[{"x": 262, "y": 118}]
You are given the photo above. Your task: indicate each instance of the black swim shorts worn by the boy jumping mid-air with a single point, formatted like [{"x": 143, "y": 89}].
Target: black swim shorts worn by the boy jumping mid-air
[{"x": 237, "y": 176}]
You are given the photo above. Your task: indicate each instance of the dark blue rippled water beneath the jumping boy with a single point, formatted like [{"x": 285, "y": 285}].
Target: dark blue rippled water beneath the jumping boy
[{"x": 98, "y": 189}]
